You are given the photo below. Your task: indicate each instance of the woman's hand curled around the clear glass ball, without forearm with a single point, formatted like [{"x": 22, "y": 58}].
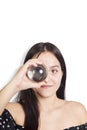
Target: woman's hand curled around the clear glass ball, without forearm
[{"x": 21, "y": 79}]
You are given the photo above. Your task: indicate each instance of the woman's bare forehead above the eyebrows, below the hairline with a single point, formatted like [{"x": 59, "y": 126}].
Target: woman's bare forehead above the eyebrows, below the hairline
[{"x": 48, "y": 58}]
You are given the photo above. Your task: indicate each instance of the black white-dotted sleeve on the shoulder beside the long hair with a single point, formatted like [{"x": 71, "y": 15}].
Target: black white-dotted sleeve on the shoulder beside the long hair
[{"x": 6, "y": 121}]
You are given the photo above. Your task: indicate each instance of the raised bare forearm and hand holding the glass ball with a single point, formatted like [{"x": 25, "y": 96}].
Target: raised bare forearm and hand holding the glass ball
[{"x": 18, "y": 83}]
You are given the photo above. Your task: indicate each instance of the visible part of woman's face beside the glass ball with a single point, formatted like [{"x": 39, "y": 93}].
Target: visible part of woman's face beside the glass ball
[{"x": 53, "y": 79}]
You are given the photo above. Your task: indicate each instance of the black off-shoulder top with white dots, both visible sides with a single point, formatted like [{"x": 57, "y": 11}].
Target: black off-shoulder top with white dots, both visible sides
[{"x": 7, "y": 122}]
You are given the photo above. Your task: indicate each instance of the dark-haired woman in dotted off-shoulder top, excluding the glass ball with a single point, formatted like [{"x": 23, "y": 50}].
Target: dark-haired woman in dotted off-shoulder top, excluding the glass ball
[{"x": 41, "y": 105}]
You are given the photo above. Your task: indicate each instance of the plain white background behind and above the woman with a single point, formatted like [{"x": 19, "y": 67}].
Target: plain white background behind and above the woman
[{"x": 63, "y": 22}]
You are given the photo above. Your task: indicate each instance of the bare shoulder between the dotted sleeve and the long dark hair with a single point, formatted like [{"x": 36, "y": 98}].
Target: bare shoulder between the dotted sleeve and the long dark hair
[{"x": 17, "y": 112}]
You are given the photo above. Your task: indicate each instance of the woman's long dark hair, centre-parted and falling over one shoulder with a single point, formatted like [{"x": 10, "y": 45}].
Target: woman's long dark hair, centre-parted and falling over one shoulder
[{"x": 27, "y": 98}]
